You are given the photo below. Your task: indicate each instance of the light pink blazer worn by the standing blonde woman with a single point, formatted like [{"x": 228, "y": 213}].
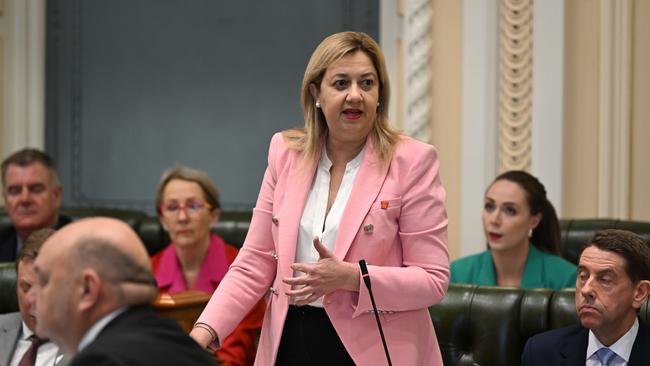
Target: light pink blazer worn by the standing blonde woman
[{"x": 406, "y": 251}]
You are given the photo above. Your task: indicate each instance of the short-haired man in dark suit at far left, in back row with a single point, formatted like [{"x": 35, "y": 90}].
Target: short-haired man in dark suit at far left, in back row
[{"x": 32, "y": 195}]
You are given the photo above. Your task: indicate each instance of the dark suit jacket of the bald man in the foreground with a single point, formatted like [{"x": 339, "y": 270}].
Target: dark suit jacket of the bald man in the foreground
[{"x": 139, "y": 337}]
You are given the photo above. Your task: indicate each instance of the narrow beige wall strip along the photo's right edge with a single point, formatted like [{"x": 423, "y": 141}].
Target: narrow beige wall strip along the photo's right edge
[{"x": 640, "y": 149}]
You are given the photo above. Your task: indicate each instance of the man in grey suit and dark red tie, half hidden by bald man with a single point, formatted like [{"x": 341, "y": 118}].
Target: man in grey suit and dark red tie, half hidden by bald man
[{"x": 18, "y": 345}]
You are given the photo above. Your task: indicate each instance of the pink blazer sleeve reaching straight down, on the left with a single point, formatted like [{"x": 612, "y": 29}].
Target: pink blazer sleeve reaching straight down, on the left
[{"x": 251, "y": 274}]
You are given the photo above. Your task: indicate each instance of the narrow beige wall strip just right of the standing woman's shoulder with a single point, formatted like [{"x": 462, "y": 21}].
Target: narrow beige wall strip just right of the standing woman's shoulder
[{"x": 446, "y": 128}]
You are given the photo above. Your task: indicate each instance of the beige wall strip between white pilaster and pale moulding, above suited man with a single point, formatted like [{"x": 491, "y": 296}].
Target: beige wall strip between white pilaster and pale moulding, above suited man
[{"x": 581, "y": 98}]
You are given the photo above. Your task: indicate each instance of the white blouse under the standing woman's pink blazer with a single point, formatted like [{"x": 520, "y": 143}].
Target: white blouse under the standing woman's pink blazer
[{"x": 313, "y": 222}]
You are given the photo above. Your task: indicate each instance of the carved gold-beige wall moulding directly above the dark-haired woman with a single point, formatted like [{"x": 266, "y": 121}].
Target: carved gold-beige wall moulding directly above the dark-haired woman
[{"x": 515, "y": 84}]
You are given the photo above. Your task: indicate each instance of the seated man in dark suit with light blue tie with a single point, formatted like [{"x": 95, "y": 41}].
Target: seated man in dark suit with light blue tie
[{"x": 613, "y": 282}]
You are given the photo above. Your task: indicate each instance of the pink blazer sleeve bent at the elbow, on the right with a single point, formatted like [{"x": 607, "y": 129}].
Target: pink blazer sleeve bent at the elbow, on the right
[{"x": 423, "y": 278}]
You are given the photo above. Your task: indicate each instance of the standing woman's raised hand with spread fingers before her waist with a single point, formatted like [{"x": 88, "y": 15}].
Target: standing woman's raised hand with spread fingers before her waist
[{"x": 320, "y": 278}]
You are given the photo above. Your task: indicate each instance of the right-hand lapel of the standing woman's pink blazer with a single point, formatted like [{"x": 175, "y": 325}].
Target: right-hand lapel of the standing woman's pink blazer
[{"x": 367, "y": 185}]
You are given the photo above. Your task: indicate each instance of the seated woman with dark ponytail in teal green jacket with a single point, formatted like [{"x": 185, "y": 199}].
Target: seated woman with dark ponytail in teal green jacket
[{"x": 516, "y": 214}]
